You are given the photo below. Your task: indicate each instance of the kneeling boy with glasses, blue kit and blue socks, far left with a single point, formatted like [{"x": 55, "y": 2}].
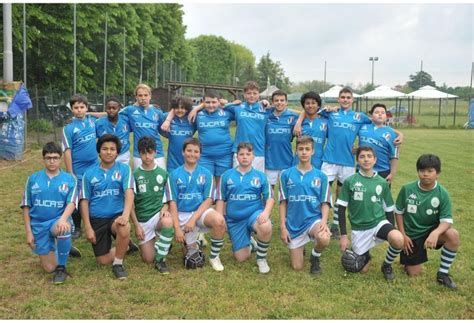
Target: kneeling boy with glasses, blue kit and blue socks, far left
[{"x": 49, "y": 199}]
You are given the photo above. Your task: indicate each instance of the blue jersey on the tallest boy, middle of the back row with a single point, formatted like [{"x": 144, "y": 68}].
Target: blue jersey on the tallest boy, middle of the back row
[{"x": 251, "y": 123}]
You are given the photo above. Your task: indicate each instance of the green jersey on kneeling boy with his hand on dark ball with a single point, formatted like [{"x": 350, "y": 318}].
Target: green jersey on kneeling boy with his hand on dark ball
[{"x": 367, "y": 199}]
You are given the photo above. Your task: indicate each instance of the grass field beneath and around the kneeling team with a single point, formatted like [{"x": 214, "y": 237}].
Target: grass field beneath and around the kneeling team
[{"x": 240, "y": 292}]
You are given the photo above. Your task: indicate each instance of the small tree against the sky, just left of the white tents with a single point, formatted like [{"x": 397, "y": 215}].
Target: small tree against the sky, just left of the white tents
[{"x": 268, "y": 69}]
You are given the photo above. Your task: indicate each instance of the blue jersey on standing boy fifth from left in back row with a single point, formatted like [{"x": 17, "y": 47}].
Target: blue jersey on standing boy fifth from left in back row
[{"x": 214, "y": 132}]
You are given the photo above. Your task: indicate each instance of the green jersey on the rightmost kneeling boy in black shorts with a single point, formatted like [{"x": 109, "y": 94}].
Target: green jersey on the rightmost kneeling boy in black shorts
[{"x": 423, "y": 210}]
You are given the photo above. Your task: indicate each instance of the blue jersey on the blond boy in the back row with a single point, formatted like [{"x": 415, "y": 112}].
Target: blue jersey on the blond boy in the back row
[{"x": 145, "y": 122}]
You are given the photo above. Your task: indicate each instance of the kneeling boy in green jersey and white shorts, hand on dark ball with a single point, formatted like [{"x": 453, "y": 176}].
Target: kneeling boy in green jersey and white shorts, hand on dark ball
[{"x": 370, "y": 204}]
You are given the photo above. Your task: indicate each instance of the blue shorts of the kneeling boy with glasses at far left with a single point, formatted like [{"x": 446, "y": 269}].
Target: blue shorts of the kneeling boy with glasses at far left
[{"x": 45, "y": 238}]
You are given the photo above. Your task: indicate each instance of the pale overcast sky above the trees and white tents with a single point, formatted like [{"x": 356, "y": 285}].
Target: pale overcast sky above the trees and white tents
[{"x": 303, "y": 36}]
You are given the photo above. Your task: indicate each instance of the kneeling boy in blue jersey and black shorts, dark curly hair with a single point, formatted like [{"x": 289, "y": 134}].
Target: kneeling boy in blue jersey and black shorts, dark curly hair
[{"x": 106, "y": 201}]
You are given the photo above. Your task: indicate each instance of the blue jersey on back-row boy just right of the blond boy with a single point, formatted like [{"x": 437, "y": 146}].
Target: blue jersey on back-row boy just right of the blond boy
[{"x": 180, "y": 130}]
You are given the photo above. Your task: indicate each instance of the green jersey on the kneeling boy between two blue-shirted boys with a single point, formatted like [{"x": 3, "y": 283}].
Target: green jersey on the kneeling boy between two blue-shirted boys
[{"x": 149, "y": 192}]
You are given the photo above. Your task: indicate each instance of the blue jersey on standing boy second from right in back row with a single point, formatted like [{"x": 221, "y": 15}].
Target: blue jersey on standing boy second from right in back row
[{"x": 343, "y": 127}]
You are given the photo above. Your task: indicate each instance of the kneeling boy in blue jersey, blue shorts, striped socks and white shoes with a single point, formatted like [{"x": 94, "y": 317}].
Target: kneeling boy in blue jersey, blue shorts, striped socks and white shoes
[{"x": 246, "y": 199}]
